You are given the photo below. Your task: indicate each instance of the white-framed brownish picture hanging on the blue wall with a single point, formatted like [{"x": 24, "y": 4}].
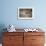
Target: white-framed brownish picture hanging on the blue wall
[{"x": 25, "y": 13}]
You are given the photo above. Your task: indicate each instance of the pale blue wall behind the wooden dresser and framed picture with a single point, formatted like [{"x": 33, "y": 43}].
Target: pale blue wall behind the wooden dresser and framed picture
[{"x": 9, "y": 13}]
